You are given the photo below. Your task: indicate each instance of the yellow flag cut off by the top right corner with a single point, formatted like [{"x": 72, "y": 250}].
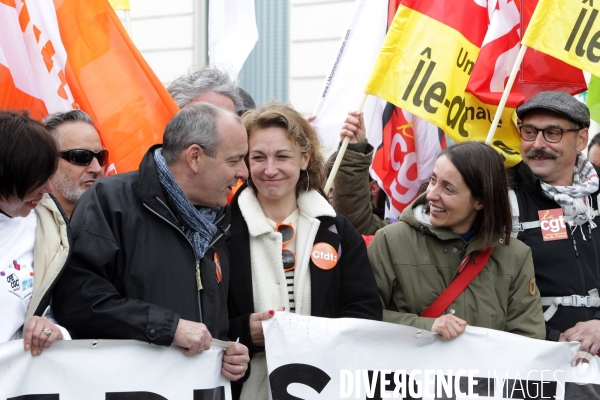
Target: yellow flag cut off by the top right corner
[{"x": 568, "y": 30}]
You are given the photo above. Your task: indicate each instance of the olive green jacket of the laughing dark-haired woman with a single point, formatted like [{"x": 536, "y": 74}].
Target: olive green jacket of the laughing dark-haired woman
[{"x": 414, "y": 262}]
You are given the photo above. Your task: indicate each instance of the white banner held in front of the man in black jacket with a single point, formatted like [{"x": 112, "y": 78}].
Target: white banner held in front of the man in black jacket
[{"x": 112, "y": 370}]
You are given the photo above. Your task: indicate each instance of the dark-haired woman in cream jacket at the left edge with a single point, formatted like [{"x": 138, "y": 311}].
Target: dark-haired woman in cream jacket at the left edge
[{"x": 33, "y": 234}]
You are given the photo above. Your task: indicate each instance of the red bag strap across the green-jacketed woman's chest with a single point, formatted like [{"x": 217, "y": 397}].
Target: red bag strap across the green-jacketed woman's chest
[{"x": 466, "y": 273}]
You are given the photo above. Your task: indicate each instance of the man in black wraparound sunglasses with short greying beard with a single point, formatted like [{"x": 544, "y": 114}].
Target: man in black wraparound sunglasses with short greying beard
[{"x": 82, "y": 157}]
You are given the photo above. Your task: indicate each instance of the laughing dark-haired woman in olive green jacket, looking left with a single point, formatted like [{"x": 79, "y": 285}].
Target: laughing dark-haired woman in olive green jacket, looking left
[{"x": 464, "y": 211}]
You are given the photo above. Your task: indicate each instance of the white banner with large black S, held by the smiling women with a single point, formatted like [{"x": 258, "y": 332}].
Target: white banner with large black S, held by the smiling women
[{"x": 318, "y": 358}]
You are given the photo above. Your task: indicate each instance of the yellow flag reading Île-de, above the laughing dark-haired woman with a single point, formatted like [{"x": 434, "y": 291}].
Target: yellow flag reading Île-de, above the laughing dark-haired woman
[{"x": 424, "y": 67}]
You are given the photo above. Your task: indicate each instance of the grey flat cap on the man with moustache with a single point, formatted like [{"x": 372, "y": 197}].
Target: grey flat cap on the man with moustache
[{"x": 559, "y": 102}]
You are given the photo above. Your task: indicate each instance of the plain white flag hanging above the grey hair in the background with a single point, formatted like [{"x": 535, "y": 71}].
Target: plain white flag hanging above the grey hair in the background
[{"x": 232, "y": 33}]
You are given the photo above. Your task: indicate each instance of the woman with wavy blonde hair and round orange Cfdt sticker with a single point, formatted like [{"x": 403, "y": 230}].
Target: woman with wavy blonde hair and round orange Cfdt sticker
[{"x": 289, "y": 250}]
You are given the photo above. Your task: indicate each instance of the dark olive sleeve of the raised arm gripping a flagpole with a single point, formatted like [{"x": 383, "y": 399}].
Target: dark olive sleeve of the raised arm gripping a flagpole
[{"x": 351, "y": 194}]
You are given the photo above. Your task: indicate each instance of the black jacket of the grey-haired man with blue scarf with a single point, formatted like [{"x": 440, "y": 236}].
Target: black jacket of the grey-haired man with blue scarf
[{"x": 132, "y": 271}]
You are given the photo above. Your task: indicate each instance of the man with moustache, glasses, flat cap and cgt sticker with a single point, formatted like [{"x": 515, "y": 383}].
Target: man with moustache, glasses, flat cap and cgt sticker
[{"x": 555, "y": 199}]
